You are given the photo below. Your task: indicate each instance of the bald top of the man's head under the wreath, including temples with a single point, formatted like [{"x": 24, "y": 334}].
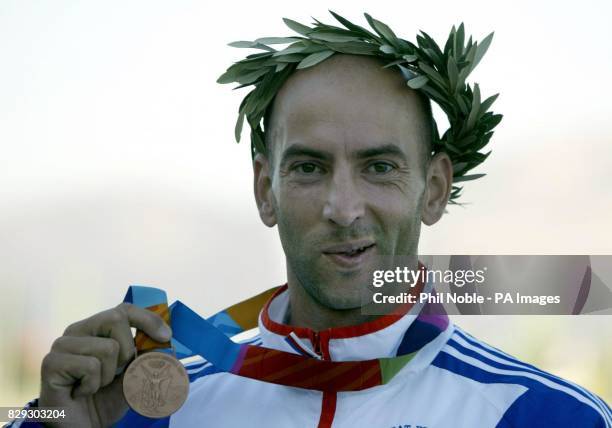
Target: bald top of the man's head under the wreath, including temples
[{"x": 354, "y": 98}]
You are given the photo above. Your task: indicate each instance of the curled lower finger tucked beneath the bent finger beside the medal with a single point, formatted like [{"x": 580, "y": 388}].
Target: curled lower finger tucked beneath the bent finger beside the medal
[{"x": 76, "y": 375}]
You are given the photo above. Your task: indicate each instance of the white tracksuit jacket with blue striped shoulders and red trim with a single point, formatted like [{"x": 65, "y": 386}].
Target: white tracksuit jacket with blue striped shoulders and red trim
[{"x": 453, "y": 381}]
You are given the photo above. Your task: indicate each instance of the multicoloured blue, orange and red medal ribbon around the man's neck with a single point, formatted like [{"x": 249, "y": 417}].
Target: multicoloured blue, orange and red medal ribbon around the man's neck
[{"x": 210, "y": 338}]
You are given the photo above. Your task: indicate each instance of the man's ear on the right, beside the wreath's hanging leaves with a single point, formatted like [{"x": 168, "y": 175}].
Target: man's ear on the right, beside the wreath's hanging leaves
[{"x": 438, "y": 188}]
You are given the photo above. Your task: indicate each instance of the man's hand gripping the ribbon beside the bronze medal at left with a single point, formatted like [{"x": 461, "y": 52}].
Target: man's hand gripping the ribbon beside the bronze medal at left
[{"x": 83, "y": 372}]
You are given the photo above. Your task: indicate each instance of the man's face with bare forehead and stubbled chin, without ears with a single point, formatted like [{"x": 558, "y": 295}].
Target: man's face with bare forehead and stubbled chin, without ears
[{"x": 347, "y": 180}]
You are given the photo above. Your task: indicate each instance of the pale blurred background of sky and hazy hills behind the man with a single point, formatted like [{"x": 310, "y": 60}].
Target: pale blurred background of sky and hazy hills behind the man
[{"x": 118, "y": 165}]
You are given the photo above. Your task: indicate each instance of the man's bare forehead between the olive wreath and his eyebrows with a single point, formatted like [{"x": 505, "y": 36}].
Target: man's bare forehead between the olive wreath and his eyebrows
[{"x": 347, "y": 103}]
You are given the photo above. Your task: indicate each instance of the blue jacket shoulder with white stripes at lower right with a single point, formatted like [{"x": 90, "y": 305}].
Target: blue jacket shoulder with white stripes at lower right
[{"x": 547, "y": 401}]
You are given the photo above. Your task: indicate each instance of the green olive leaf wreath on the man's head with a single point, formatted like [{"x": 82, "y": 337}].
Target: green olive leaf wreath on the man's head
[{"x": 439, "y": 74}]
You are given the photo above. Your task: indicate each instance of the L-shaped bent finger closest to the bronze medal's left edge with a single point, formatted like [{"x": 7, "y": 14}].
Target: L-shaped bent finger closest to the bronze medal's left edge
[{"x": 104, "y": 349}]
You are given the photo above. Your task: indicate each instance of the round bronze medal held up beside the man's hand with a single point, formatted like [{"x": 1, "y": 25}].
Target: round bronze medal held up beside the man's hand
[{"x": 155, "y": 385}]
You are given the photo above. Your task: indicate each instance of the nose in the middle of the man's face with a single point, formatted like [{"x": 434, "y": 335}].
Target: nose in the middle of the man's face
[{"x": 344, "y": 204}]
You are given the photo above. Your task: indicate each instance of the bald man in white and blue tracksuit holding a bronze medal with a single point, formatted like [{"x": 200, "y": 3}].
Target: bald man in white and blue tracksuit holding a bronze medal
[{"x": 348, "y": 177}]
